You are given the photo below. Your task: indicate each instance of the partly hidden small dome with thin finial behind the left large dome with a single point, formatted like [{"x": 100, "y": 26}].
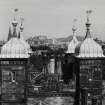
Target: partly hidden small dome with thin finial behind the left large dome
[{"x": 25, "y": 44}]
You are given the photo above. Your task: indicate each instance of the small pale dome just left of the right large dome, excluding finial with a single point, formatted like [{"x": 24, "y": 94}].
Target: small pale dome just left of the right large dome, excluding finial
[{"x": 72, "y": 45}]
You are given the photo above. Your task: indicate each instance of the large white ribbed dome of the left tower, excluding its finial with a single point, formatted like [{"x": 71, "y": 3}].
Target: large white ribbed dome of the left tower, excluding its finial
[{"x": 13, "y": 49}]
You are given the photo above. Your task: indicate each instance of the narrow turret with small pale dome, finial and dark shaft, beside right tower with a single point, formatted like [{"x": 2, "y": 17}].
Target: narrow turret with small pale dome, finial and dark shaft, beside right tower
[{"x": 68, "y": 71}]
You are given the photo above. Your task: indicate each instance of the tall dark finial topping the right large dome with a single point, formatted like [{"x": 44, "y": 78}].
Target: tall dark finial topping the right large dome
[{"x": 88, "y": 35}]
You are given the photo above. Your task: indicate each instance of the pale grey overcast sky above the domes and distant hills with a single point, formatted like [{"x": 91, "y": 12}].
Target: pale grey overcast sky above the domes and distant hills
[{"x": 53, "y": 18}]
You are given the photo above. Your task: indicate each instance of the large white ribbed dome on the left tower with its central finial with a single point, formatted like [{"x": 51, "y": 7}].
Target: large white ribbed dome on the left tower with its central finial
[{"x": 14, "y": 48}]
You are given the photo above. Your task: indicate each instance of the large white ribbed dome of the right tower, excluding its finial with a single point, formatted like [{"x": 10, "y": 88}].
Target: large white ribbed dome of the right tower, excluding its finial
[{"x": 89, "y": 48}]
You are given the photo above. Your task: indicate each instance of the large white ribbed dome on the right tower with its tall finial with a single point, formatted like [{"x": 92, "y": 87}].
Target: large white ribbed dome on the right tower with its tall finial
[{"x": 89, "y": 48}]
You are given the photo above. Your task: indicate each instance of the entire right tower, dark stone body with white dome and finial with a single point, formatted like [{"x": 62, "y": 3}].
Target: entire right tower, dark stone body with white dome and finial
[{"x": 90, "y": 62}]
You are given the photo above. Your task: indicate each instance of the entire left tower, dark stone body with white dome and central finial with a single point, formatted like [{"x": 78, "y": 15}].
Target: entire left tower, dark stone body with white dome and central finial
[{"x": 13, "y": 68}]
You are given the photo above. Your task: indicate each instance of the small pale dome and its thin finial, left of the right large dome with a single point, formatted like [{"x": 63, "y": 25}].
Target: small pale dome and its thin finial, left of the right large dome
[{"x": 72, "y": 45}]
